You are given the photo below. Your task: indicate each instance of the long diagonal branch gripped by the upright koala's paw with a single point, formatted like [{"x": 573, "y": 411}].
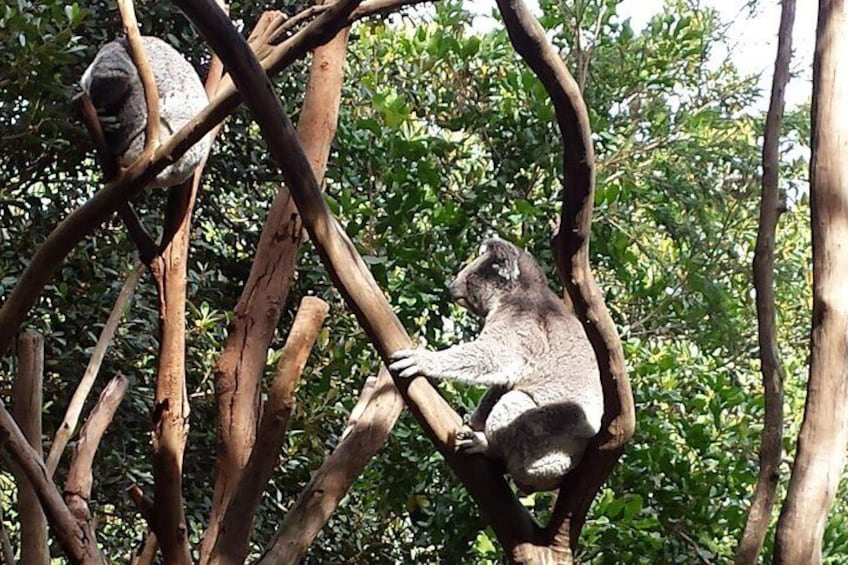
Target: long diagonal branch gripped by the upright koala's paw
[{"x": 509, "y": 518}]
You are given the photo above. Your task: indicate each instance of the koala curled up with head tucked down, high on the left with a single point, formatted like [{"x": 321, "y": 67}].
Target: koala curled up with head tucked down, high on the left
[{"x": 115, "y": 89}]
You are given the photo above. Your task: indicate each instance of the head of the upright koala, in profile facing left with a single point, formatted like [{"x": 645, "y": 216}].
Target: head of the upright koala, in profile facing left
[{"x": 500, "y": 270}]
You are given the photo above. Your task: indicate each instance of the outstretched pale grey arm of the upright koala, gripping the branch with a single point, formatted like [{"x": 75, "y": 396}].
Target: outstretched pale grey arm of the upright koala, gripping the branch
[{"x": 479, "y": 362}]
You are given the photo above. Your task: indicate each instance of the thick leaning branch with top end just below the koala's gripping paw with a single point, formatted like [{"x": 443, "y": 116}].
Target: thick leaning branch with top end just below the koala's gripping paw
[{"x": 369, "y": 425}]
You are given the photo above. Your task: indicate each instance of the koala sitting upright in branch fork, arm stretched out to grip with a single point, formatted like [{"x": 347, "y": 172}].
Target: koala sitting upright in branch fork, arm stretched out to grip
[{"x": 545, "y": 402}]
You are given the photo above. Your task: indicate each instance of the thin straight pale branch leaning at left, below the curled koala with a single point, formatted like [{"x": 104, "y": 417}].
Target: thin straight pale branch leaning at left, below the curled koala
[{"x": 72, "y": 414}]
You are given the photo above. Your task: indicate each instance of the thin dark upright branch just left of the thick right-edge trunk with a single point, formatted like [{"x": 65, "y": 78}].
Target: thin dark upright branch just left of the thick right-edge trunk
[{"x": 771, "y": 448}]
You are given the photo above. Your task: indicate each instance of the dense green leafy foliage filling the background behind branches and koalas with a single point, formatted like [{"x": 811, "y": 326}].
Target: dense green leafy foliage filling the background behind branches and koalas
[{"x": 444, "y": 137}]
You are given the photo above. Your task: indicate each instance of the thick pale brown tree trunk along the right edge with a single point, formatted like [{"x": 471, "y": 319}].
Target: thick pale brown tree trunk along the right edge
[{"x": 821, "y": 444}]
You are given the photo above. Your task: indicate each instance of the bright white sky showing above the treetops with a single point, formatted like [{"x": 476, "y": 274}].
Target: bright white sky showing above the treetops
[{"x": 753, "y": 40}]
